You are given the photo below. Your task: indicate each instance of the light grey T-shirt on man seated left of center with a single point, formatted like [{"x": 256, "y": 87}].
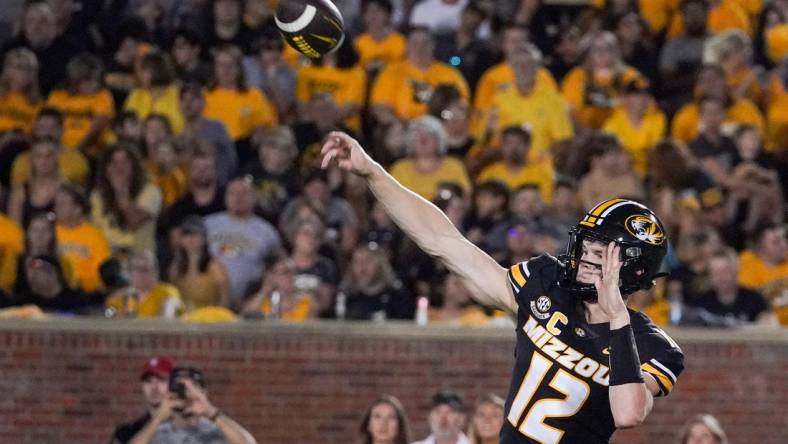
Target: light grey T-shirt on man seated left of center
[{"x": 242, "y": 245}]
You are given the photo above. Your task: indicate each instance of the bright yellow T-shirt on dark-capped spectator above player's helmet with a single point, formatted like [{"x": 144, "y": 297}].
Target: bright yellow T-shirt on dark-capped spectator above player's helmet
[{"x": 638, "y": 141}]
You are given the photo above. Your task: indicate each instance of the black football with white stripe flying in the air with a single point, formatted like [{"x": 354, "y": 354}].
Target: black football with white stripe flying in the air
[{"x": 314, "y": 27}]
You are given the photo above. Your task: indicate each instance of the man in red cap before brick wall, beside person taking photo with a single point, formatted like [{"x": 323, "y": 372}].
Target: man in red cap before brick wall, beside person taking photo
[{"x": 154, "y": 380}]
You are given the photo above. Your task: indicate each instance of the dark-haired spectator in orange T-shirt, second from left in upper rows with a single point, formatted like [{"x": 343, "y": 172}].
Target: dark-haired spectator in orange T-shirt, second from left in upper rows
[{"x": 87, "y": 106}]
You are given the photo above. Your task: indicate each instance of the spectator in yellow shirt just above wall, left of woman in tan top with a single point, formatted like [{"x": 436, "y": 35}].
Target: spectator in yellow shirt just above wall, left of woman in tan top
[{"x": 145, "y": 296}]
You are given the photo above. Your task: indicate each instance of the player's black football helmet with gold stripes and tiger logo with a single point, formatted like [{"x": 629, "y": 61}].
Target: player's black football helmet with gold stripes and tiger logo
[{"x": 636, "y": 230}]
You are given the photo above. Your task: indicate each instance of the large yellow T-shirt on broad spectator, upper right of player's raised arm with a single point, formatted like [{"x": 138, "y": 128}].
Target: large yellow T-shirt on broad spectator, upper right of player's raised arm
[{"x": 544, "y": 111}]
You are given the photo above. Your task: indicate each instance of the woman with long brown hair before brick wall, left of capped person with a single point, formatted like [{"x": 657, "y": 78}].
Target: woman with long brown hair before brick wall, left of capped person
[{"x": 385, "y": 422}]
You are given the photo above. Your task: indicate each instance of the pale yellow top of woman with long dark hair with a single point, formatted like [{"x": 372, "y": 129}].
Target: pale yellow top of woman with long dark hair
[{"x": 143, "y": 238}]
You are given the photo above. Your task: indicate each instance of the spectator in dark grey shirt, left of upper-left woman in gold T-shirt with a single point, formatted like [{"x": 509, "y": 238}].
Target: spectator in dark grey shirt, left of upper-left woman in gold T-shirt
[{"x": 209, "y": 131}]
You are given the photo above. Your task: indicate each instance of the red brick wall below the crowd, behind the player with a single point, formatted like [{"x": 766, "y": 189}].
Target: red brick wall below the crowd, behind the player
[{"x": 70, "y": 381}]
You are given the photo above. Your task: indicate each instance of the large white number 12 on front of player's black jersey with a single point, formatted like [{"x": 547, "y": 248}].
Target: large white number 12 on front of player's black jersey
[{"x": 575, "y": 390}]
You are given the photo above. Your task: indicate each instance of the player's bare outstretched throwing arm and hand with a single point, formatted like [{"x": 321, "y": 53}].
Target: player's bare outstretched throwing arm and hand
[{"x": 425, "y": 224}]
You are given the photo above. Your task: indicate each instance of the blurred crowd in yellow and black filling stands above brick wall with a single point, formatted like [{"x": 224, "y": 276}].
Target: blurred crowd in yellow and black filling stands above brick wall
[{"x": 160, "y": 158}]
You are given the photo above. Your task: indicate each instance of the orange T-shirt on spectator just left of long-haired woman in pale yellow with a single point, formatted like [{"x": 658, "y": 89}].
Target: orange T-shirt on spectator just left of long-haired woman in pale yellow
[{"x": 86, "y": 247}]
